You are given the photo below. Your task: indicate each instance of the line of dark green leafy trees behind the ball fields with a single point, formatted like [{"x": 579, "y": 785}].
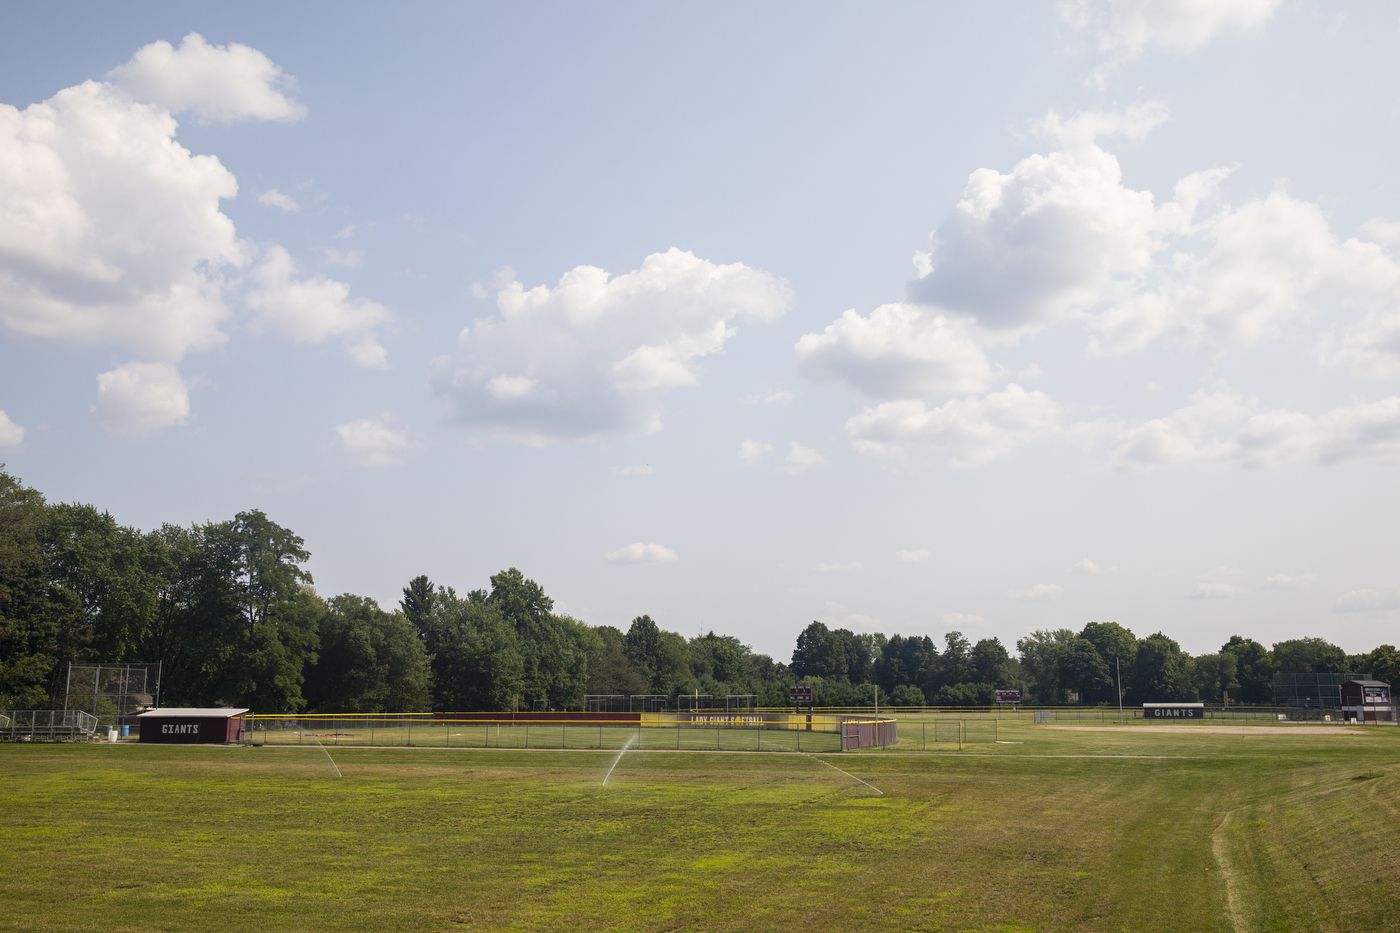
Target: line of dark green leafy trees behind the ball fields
[{"x": 230, "y": 613}]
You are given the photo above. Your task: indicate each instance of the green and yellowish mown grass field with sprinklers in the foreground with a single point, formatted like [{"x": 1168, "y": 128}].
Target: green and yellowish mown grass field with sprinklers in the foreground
[{"x": 1053, "y": 829}]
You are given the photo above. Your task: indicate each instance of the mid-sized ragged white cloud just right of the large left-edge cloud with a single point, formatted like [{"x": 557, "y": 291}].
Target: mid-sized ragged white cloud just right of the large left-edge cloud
[{"x": 313, "y": 310}]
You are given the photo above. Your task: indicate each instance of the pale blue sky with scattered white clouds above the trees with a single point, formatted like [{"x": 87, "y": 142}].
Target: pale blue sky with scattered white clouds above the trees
[{"x": 908, "y": 319}]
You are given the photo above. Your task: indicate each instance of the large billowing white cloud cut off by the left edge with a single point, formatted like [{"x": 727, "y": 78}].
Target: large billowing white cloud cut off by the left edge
[{"x": 111, "y": 230}]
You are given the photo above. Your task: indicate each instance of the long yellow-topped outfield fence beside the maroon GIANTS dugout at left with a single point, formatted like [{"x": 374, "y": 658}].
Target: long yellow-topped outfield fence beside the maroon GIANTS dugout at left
[{"x": 695, "y": 732}]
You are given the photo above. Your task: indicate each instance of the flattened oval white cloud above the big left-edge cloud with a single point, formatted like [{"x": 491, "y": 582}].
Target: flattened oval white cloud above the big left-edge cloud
[{"x": 215, "y": 83}]
